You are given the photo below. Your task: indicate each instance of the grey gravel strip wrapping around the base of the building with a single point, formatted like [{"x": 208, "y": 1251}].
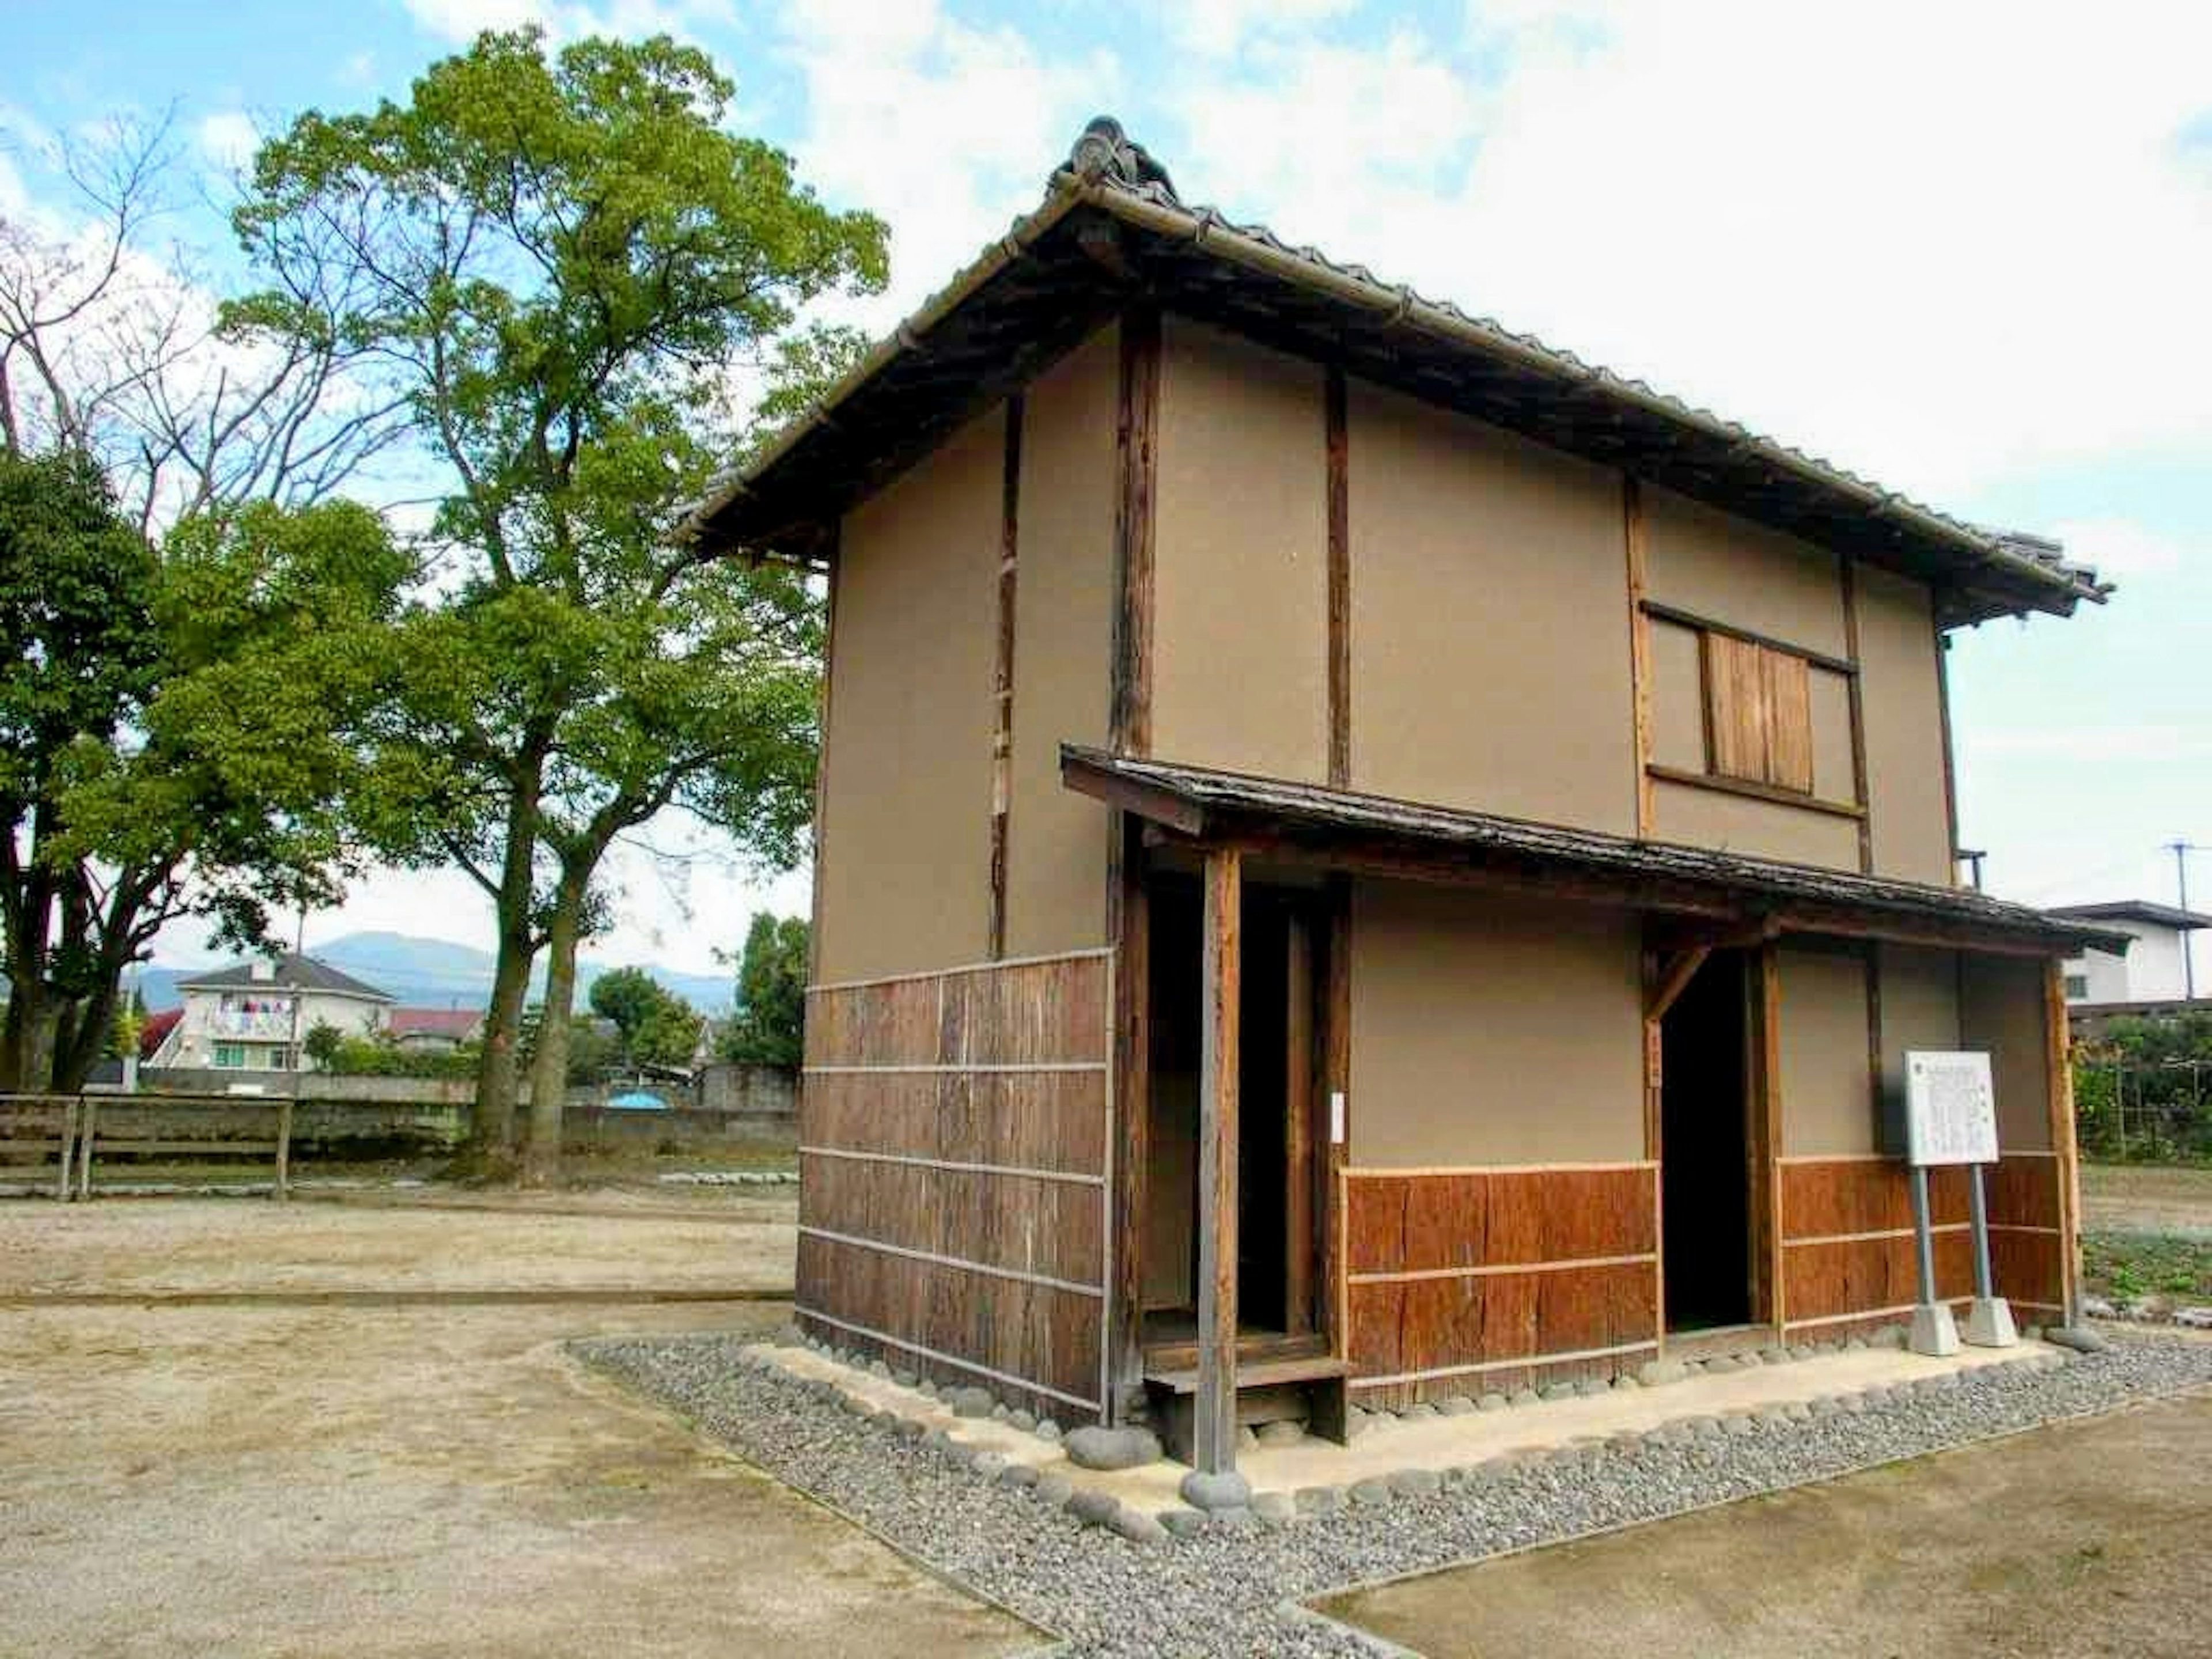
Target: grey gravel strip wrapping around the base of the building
[{"x": 1231, "y": 1592}]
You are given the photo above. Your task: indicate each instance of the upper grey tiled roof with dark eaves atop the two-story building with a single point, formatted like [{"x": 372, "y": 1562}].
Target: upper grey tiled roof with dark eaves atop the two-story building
[{"x": 1744, "y": 470}]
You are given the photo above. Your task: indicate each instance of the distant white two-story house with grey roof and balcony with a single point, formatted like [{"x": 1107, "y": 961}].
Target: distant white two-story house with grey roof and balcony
[{"x": 255, "y": 1014}]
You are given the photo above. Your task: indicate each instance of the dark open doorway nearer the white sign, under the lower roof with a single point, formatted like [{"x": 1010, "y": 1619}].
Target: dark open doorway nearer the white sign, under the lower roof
[{"x": 1704, "y": 1149}]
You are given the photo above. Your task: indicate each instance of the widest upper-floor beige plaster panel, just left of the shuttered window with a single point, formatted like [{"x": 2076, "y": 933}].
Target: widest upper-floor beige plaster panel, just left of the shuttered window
[{"x": 1490, "y": 620}]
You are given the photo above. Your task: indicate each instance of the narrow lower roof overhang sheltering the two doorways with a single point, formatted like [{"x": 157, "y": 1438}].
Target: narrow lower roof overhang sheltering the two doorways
[{"x": 1715, "y": 890}]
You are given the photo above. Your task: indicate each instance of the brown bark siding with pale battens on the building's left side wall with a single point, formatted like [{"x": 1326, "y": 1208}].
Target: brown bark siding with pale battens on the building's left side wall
[{"x": 957, "y": 1169}]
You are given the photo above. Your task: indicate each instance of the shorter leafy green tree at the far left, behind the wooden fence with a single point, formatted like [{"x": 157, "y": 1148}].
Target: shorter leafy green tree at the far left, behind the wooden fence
[{"x": 174, "y": 733}]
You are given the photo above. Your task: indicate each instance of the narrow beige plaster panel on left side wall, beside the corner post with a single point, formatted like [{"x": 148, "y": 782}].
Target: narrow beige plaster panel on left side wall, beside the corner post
[{"x": 1063, "y": 649}]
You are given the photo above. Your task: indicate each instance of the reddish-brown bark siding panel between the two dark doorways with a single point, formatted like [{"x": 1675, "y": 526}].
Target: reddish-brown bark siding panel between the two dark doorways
[{"x": 1492, "y": 1277}]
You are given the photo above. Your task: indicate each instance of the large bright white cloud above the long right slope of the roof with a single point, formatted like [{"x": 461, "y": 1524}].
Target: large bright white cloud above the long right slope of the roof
[{"x": 1939, "y": 244}]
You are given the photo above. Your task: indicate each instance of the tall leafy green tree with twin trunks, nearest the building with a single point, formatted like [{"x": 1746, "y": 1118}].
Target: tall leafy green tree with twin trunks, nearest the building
[{"x": 561, "y": 260}]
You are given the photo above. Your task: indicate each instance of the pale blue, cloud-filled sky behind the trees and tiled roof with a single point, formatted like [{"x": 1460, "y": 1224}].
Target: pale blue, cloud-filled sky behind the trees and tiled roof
[{"x": 1961, "y": 251}]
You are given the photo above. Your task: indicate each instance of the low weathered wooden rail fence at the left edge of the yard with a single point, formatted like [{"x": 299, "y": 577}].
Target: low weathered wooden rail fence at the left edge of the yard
[{"x": 74, "y": 1131}]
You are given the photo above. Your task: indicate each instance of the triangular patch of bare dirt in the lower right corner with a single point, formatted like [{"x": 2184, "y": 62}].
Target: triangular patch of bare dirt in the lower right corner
[{"x": 2087, "y": 1538}]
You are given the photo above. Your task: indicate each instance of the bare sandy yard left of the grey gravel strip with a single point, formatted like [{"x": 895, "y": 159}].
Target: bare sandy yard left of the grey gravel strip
[{"x": 404, "y": 1481}]
